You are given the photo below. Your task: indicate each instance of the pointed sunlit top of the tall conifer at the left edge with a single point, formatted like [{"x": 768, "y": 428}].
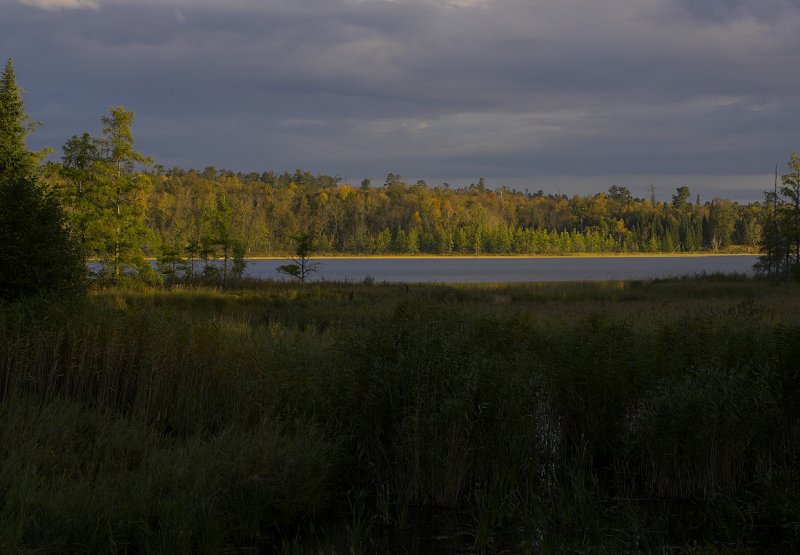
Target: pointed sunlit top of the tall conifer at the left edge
[{"x": 16, "y": 161}]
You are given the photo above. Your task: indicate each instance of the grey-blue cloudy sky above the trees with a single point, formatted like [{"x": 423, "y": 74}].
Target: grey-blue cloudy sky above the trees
[{"x": 567, "y": 96}]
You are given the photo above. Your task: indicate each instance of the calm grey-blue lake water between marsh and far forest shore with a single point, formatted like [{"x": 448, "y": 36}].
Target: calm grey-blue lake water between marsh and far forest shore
[{"x": 512, "y": 269}]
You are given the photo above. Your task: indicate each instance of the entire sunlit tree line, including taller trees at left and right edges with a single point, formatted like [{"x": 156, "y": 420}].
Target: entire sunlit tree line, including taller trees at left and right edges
[{"x": 121, "y": 208}]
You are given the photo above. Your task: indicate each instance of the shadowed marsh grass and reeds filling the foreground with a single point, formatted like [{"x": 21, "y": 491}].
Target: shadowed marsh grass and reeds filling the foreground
[{"x": 593, "y": 417}]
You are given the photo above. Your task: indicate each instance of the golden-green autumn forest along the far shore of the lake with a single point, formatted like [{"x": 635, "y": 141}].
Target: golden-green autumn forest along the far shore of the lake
[{"x": 205, "y": 210}]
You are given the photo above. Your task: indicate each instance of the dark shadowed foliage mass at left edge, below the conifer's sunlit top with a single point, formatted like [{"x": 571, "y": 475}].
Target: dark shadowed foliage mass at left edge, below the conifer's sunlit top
[{"x": 37, "y": 253}]
